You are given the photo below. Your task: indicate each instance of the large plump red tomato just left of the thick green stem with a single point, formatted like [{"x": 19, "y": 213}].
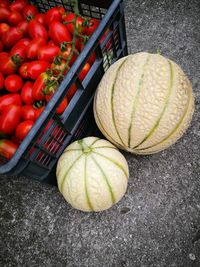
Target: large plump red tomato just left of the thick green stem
[{"x": 59, "y": 33}]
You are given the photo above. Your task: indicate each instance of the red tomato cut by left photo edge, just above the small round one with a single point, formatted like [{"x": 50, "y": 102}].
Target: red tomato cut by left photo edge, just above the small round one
[{"x": 8, "y": 65}]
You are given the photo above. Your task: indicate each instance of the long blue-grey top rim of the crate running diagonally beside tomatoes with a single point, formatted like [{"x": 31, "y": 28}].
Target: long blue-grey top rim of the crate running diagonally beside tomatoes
[{"x": 67, "y": 81}]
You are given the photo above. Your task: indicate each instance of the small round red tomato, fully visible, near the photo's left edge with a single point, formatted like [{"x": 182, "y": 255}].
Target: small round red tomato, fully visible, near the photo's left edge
[{"x": 13, "y": 83}]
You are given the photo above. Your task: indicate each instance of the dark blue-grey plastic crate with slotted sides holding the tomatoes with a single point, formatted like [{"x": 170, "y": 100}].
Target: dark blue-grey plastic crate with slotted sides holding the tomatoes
[{"x": 37, "y": 155}]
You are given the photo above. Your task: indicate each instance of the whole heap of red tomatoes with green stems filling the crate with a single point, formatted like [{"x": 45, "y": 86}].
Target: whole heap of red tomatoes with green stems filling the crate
[{"x": 34, "y": 47}]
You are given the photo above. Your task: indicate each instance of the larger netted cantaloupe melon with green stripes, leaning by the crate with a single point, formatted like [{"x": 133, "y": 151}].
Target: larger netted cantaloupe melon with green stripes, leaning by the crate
[{"x": 144, "y": 103}]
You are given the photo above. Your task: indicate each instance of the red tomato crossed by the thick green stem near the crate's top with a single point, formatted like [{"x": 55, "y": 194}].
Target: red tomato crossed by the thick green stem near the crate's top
[{"x": 68, "y": 17}]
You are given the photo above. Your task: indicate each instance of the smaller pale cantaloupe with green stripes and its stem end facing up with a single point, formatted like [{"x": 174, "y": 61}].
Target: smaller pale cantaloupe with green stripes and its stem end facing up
[{"x": 92, "y": 174}]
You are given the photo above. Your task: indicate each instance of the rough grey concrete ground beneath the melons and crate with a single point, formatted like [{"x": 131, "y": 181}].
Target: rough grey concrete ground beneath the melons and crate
[{"x": 157, "y": 223}]
